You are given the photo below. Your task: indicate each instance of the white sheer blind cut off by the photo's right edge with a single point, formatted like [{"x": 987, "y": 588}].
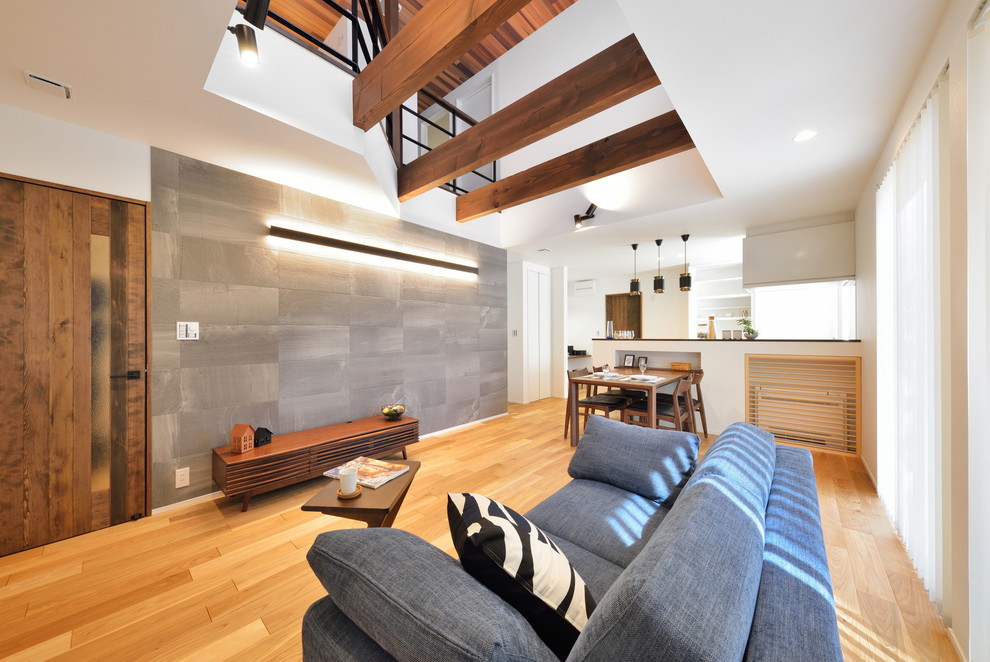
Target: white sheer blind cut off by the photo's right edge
[{"x": 978, "y": 347}]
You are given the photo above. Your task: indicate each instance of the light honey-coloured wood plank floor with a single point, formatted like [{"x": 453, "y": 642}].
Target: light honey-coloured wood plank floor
[{"x": 207, "y": 582}]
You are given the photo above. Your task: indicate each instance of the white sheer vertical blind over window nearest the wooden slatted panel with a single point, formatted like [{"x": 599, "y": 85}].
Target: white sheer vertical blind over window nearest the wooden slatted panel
[{"x": 909, "y": 443}]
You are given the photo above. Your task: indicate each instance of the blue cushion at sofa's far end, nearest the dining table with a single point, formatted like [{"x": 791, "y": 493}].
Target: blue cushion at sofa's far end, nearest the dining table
[{"x": 651, "y": 463}]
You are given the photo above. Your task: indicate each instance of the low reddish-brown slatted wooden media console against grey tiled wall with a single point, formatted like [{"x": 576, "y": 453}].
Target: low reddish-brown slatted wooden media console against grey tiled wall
[{"x": 297, "y": 456}]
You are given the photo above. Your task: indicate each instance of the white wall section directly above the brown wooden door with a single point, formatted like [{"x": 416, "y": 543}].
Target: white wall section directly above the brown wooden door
[{"x": 49, "y": 150}]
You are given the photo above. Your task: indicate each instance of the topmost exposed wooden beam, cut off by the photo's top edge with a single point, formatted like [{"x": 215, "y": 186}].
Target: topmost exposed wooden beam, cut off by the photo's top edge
[{"x": 436, "y": 36}]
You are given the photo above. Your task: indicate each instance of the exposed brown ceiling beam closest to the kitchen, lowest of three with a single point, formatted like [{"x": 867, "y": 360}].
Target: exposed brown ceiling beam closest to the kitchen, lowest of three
[{"x": 650, "y": 141}]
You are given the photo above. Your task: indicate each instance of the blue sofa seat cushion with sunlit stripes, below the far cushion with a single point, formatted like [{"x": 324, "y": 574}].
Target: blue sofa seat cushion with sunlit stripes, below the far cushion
[{"x": 606, "y": 520}]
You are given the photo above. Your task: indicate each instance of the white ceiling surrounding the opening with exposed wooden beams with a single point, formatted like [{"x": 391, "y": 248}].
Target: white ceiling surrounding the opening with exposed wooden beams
[{"x": 745, "y": 78}]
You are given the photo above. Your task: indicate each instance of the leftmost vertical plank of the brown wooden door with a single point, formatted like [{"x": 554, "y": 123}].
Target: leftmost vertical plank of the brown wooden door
[{"x": 12, "y": 306}]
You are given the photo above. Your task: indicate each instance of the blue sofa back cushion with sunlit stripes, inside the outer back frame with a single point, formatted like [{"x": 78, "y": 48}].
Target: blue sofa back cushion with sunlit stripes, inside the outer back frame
[{"x": 692, "y": 591}]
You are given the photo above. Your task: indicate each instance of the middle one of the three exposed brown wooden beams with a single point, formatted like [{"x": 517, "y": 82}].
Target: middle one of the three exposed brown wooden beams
[{"x": 618, "y": 73}]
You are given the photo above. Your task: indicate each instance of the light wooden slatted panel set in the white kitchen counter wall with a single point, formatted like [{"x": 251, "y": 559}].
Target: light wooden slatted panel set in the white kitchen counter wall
[{"x": 809, "y": 401}]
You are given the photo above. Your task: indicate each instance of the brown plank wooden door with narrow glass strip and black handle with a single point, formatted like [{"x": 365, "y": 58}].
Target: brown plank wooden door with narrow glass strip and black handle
[{"x": 73, "y": 347}]
